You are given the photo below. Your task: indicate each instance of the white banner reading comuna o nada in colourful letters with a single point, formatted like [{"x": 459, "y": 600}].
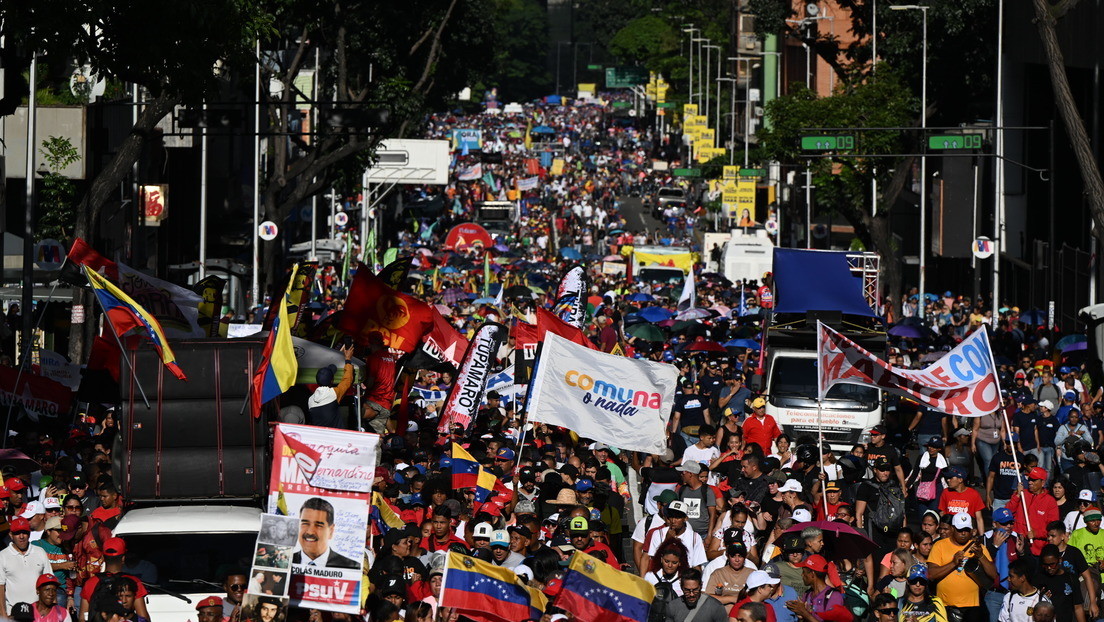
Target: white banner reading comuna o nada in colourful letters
[{"x": 615, "y": 400}]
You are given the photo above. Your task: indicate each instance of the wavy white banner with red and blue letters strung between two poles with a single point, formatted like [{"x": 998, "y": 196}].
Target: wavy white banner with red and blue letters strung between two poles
[{"x": 963, "y": 383}]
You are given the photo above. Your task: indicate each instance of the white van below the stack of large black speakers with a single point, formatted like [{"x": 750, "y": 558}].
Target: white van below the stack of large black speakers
[{"x": 190, "y": 546}]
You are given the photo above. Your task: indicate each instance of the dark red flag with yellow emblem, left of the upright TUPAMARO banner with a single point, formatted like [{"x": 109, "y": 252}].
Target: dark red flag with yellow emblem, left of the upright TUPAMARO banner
[{"x": 374, "y": 308}]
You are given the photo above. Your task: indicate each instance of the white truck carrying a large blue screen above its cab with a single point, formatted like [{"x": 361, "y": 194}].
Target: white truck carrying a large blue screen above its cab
[{"x": 841, "y": 290}]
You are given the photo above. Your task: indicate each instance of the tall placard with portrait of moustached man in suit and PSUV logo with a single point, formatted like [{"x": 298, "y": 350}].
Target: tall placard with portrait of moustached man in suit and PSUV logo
[{"x": 322, "y": 489}]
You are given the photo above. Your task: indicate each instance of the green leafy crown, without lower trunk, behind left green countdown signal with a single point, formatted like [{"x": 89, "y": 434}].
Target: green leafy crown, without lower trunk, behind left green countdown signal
[{"x": 880, "y": 102}]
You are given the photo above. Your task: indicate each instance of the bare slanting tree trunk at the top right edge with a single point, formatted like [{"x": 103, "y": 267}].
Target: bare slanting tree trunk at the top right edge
[{"x": 1047, "y": 18}]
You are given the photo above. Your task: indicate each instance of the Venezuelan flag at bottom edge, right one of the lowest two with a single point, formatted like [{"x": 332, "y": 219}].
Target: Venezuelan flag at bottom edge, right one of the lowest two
[{"x": 595, "y": 592}]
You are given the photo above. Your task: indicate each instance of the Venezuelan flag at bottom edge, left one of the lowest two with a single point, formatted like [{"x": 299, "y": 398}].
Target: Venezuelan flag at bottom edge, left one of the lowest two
[{"x": 474, "y": 586}]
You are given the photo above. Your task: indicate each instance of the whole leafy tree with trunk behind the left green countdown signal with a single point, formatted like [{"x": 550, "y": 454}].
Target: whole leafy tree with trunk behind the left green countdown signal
[{"x": 843, "y": 185}]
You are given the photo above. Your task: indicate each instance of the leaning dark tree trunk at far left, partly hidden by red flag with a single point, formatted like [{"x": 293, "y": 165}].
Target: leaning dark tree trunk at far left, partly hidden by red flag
[{"x": 101, "y": 191}]
